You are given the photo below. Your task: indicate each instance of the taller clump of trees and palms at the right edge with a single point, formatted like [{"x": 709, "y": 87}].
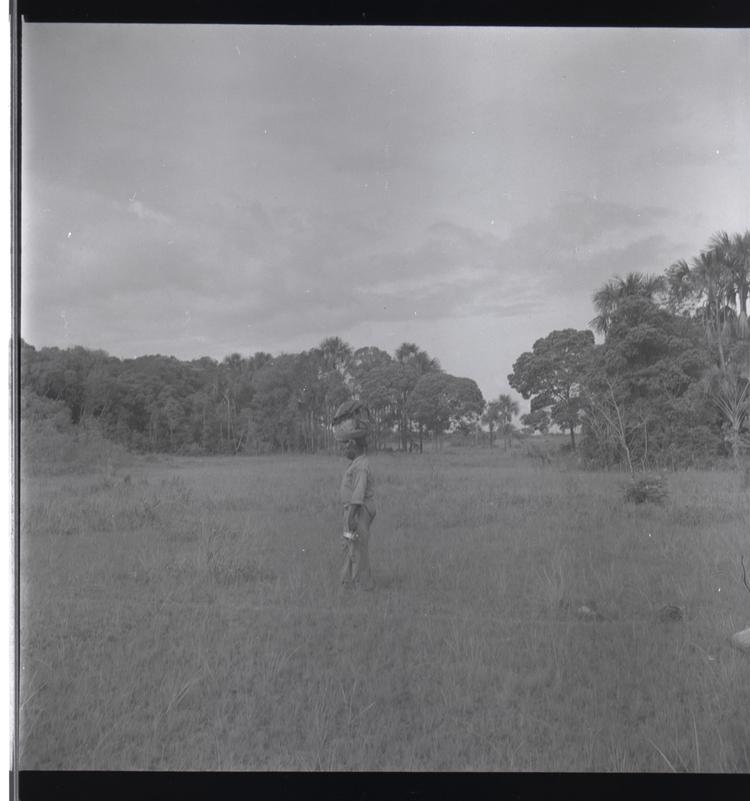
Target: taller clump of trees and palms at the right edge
[{"x": 669, "y": 385}]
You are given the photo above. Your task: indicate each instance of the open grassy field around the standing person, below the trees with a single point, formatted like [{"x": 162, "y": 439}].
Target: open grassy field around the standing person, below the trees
[{"x": 186, "y": 615}]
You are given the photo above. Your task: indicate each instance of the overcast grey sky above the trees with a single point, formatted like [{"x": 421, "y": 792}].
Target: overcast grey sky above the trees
[{"x": 204, "y": 190}]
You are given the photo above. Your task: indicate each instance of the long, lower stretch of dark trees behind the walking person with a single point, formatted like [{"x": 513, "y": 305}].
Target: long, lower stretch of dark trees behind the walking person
[{"x": 253, "y": 404}]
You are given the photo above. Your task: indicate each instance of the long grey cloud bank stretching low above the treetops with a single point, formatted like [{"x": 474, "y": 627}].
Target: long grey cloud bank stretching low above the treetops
[{"x": 274, "y": 272}]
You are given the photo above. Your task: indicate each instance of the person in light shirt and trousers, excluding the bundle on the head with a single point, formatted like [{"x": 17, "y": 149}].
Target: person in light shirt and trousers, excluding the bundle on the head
[{"x": 357, "y": 497}]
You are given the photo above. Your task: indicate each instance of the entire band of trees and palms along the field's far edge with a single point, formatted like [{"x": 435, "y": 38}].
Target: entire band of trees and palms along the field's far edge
[{"x": 667, "y": 386}]
